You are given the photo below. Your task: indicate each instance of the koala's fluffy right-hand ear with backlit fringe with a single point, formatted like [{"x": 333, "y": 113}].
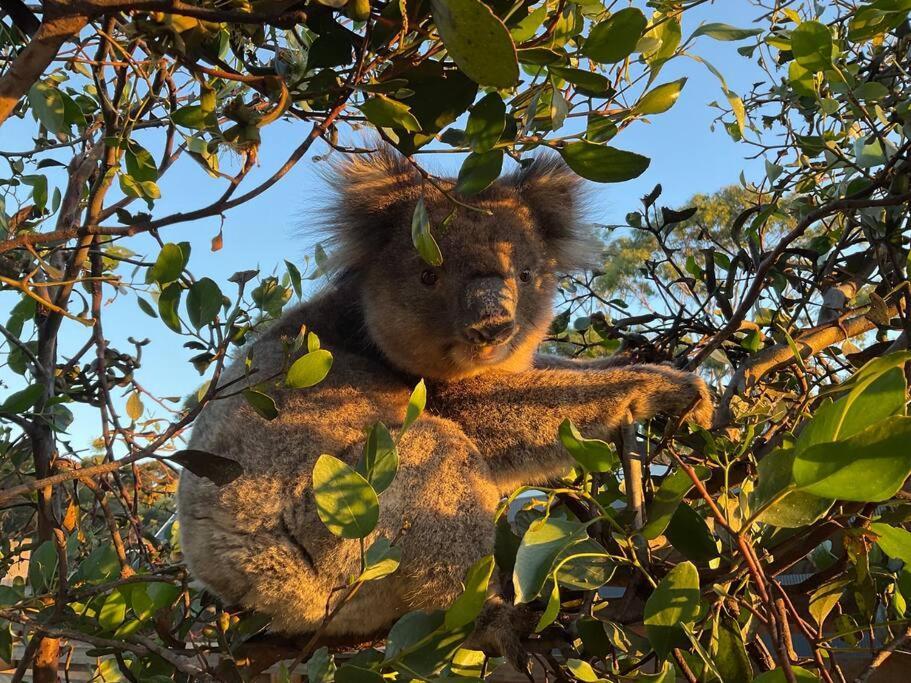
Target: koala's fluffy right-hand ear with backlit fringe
[{"x": 556, "y": 197}]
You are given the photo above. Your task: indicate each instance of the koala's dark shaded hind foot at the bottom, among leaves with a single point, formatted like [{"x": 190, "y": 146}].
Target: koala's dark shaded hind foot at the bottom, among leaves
[{"x": 499, "y": 631}]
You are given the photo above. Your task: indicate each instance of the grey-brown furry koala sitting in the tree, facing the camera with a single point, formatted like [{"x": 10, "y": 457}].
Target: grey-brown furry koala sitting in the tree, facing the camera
[{"x": 471, "y": 328}]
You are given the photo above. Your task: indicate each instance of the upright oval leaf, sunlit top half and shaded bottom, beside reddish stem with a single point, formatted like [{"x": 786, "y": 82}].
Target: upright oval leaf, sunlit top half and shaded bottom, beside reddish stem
[{"x": 673, "y": 603}]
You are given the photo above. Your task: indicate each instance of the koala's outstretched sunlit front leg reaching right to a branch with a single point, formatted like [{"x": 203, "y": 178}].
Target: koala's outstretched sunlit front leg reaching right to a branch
[{"x": 514, "y": 418}]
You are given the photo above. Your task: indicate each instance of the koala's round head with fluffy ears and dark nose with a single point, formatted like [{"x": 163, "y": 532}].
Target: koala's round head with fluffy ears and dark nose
[{"x": 490, "y": 302}]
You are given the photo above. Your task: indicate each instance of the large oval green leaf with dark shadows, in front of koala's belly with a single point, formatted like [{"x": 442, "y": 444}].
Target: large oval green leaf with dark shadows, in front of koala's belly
[{"x": 345, "y": 501}]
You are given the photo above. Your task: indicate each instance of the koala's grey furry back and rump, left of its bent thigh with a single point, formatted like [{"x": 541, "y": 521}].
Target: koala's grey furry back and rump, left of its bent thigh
[{"x": 265, "y": 519}]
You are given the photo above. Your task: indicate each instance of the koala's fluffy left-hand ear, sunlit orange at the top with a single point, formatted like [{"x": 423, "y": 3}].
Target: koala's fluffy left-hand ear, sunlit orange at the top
[{"x": 372, "y": 195}]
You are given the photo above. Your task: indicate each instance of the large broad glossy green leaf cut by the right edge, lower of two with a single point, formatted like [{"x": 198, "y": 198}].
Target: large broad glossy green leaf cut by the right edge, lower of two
[{"x": 870, "y": 466}]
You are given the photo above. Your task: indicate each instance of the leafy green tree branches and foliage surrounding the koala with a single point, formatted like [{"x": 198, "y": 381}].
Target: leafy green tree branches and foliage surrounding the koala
[{"x": 789, "y": 291}]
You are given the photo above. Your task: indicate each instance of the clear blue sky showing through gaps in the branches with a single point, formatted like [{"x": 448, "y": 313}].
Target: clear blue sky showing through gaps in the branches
[{"x": 687, "y": 158}]
